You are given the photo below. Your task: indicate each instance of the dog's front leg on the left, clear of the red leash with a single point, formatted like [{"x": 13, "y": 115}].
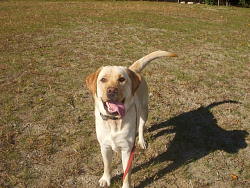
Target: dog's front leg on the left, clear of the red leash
[{"x": 107, "y": 154}]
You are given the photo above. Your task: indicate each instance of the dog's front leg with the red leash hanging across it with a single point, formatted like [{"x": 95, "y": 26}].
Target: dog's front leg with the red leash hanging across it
[{"x": 127, "y": 180}]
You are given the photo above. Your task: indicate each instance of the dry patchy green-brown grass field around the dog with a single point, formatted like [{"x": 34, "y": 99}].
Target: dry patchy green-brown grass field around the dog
[{"x": 198, "y": 127}]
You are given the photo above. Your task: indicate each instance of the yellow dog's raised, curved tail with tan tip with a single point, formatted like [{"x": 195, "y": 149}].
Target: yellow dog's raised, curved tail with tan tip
[{"x": 140, "y": 64}]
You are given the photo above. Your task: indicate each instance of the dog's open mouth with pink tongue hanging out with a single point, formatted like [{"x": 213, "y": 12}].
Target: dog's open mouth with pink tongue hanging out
[{"x": 115, "y": 108}]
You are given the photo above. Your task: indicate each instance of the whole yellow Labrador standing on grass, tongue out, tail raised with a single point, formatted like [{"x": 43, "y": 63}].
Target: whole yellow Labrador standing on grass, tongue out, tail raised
[{"x": 121, "y": 110}]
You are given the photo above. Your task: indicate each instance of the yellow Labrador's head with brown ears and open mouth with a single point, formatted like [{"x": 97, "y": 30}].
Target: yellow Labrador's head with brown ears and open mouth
[{"x": 113, "y": 88}]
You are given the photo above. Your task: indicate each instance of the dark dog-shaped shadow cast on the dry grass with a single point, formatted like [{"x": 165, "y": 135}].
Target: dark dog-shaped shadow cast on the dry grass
[{"x": 196, "y": 135}]
